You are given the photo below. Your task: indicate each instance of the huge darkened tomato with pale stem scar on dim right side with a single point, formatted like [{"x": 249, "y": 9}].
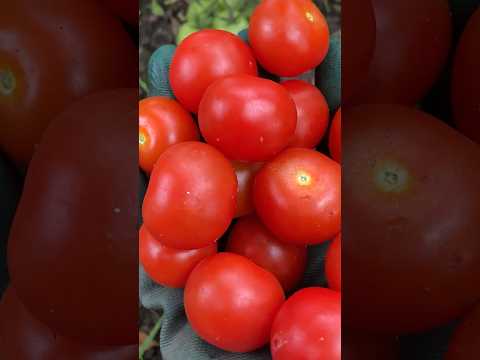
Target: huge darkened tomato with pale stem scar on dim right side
[{"x": 411, "y": 220}]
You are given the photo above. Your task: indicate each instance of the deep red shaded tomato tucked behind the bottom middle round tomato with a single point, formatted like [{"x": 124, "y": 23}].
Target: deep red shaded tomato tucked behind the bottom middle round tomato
[{"x": 250, "y": 238}]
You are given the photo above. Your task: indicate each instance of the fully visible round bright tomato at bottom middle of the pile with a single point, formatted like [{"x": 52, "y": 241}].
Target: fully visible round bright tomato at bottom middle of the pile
[{"x": 231, "y": 302}]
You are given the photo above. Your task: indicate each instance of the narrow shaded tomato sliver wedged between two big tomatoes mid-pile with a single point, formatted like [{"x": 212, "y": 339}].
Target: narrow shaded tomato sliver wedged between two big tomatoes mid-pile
[{"x": 245, "y": 176}]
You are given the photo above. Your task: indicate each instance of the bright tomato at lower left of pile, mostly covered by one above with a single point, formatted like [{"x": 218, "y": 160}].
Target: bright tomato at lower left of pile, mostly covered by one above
[{"x": 167, "y": 266}]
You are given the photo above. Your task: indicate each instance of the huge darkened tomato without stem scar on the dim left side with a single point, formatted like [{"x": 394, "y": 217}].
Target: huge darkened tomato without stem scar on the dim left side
[{"x": 76, "y": 224}]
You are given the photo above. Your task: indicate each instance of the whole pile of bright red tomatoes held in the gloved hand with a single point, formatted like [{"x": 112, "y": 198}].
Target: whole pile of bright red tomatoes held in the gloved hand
[{"x": 236, "y": 157}]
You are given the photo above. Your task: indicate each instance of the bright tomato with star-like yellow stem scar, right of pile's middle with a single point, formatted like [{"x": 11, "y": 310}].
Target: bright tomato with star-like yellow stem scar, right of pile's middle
[{"x": 297, "y": 196}]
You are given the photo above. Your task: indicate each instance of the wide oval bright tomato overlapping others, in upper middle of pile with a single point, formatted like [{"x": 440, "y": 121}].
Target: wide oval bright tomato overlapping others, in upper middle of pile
[{"x": 247, "y": 118}]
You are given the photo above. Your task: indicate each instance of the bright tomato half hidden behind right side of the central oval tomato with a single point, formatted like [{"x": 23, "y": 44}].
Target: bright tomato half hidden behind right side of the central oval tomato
[{"x": 312, "y": 113}]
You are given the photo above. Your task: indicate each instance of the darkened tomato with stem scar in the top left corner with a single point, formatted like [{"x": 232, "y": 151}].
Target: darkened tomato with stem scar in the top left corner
[{"x": 52, "y": 53}]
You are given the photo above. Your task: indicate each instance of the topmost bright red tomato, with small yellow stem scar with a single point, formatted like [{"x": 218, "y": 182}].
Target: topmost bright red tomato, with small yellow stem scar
[{"x": 288, "y": 37}]
